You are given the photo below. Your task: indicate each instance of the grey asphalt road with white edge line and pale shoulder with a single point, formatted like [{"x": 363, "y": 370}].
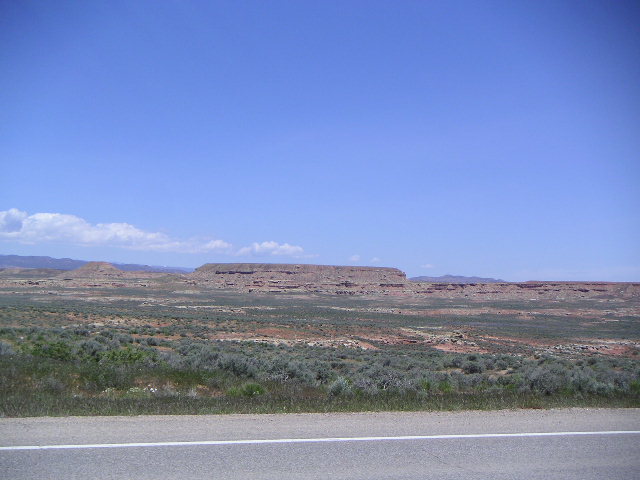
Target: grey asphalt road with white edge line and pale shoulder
[{"x": 327, "y": 446}]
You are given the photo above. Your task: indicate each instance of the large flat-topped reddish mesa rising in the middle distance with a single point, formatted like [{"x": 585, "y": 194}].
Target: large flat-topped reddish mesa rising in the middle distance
[{"x": 269, "y": 275}]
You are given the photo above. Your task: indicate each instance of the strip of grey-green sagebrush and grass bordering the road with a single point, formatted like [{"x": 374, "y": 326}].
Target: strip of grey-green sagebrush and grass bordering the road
[{"x": 103, "y": 371}]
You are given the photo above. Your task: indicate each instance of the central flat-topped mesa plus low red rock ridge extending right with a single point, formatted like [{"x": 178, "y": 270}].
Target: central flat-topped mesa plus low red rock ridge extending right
[{"x": 347, "y": 280}]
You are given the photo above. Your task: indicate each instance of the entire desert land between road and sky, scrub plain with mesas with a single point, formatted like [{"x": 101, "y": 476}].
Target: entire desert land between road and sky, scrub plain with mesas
[{"x": 260, "y": 337}]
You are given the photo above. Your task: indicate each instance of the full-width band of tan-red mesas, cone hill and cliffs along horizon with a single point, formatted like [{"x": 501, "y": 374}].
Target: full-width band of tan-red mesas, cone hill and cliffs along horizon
[{"x": 313, "y": 279}]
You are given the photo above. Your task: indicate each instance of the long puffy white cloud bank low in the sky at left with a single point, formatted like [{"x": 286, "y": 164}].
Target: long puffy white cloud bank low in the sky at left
[{"x": 39, "y": 228}]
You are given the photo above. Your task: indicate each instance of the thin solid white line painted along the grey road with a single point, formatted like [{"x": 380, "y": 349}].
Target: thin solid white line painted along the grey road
[{"x": 314, "y": 440}]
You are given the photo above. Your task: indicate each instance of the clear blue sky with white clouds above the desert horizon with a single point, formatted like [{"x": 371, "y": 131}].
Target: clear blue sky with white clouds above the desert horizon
[{"x": 493, "y": 138}]
